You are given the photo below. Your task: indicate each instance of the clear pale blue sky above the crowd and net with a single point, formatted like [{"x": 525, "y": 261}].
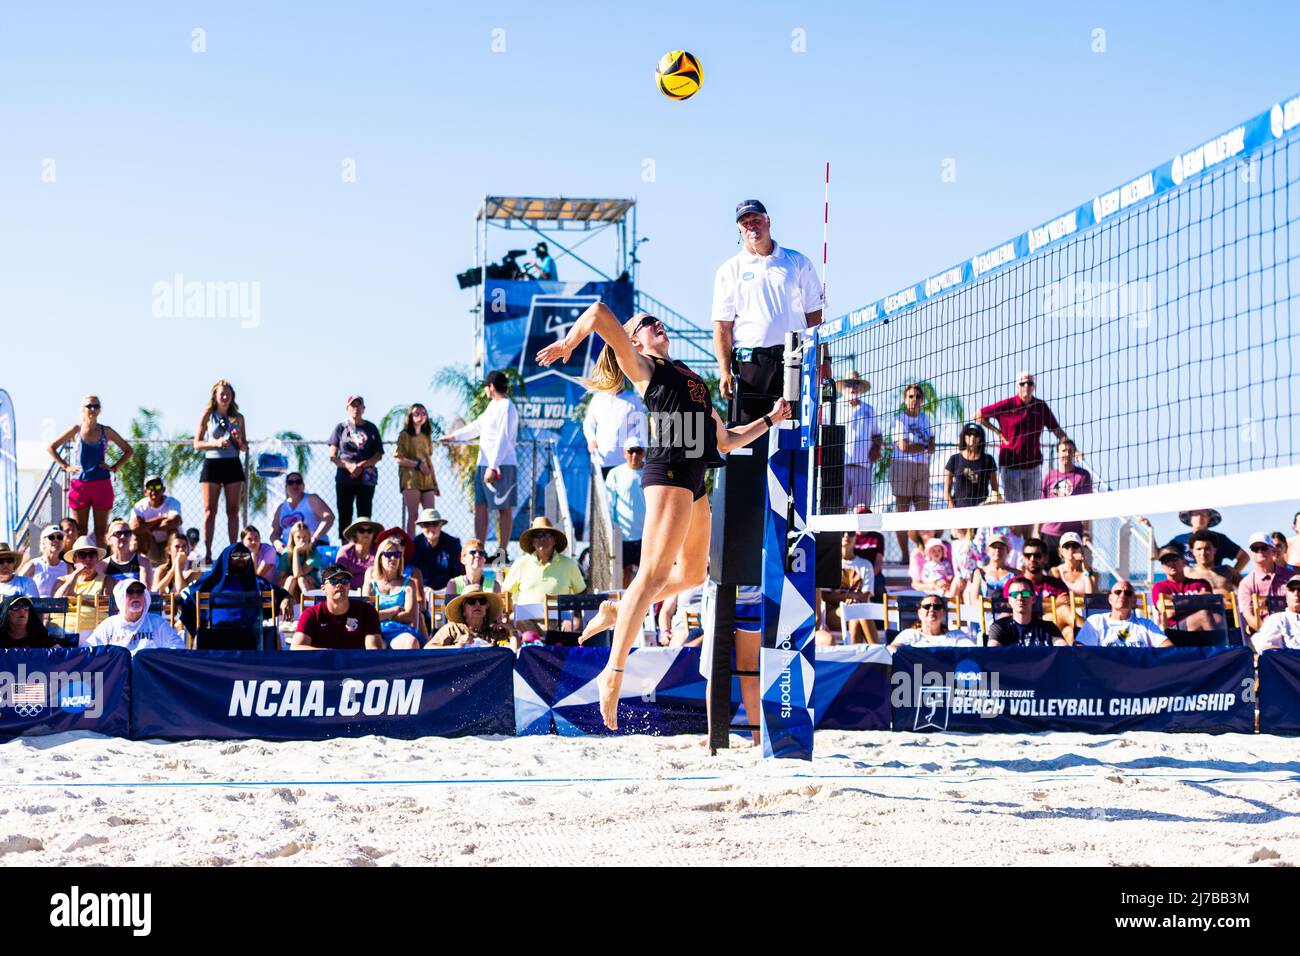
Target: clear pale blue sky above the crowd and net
[{"x": 227, "y": 166}]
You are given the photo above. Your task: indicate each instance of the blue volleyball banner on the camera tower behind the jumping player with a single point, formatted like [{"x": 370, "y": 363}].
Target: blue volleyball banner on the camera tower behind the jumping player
[{"x": 523, "y": 318}]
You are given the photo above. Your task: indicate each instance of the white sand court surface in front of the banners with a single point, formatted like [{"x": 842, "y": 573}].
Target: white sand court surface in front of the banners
[{"x": 869, "y": 799}]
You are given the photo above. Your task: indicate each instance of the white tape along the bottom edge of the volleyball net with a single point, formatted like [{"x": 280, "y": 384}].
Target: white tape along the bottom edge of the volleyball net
[{"x": 1227, "y": 491}]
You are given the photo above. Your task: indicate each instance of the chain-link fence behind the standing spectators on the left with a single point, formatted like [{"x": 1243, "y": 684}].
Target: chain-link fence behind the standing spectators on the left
[{"x": 180, "y": 465}]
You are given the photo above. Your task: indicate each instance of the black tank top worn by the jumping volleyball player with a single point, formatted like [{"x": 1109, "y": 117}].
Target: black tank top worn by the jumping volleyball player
[{"x": 682, "y": 417}]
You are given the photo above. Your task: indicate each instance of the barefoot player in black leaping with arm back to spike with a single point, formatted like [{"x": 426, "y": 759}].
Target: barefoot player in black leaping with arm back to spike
[{"x": 686, "y": 440}]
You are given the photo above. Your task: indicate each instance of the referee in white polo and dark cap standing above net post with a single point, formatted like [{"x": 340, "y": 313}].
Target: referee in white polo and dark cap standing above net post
[{"x": 760, "y": 295}]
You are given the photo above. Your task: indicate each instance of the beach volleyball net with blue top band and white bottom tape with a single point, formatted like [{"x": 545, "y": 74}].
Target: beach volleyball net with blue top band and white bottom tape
[{"x": 1155, "y": 322}]
